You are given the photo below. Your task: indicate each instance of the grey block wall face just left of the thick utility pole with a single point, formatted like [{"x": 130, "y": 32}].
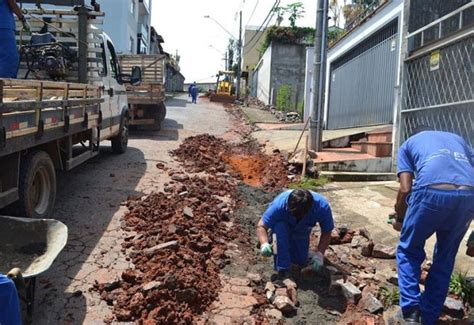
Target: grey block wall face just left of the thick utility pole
[{"x": 288, "y": 68}]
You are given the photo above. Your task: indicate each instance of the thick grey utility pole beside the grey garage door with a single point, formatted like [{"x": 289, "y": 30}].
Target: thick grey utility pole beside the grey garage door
[{"x": 319, "y": 76}]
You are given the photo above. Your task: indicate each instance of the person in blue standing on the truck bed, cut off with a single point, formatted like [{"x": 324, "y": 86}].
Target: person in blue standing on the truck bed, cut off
[{"x": 9, "y": 58}]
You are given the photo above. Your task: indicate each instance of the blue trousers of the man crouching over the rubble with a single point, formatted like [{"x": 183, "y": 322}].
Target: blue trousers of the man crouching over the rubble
[{"x": 292, "y": 247}]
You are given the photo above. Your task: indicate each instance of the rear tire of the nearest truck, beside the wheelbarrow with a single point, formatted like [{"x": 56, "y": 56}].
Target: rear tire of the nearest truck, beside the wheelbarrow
[{"x": 37, "y": 188}]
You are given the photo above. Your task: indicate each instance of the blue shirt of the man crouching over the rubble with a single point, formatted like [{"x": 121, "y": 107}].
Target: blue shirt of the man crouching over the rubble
[{"x": 320, "y": 213}]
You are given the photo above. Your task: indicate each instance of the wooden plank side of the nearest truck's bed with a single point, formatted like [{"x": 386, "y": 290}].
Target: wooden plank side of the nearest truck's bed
[{"x": 36, "y": 112}]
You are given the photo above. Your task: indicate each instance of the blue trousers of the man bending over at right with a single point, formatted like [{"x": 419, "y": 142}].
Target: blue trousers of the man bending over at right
[{"x": 448, "y": 213}]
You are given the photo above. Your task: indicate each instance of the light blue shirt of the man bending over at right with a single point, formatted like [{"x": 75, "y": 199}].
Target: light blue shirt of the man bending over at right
[{"x": 436, "y": 157}]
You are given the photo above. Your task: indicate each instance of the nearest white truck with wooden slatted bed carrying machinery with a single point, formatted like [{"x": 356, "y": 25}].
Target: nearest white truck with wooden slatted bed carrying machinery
[{"x": 57, "y": 125}]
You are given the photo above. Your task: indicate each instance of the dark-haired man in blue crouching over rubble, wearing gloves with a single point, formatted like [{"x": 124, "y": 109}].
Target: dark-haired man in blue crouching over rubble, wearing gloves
[{"x": 291, "y": 217}]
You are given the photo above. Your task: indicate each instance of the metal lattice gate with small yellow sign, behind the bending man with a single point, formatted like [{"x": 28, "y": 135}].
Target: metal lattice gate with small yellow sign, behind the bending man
[{"x": 439, "y": 82}]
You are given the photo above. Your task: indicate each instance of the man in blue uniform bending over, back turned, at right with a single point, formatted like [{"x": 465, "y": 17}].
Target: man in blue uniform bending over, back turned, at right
[{"x": 440, "y": 202}]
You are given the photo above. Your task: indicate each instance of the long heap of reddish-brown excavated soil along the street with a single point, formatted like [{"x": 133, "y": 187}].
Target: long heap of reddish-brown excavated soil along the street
[{"x": 179, "y": 238}]
